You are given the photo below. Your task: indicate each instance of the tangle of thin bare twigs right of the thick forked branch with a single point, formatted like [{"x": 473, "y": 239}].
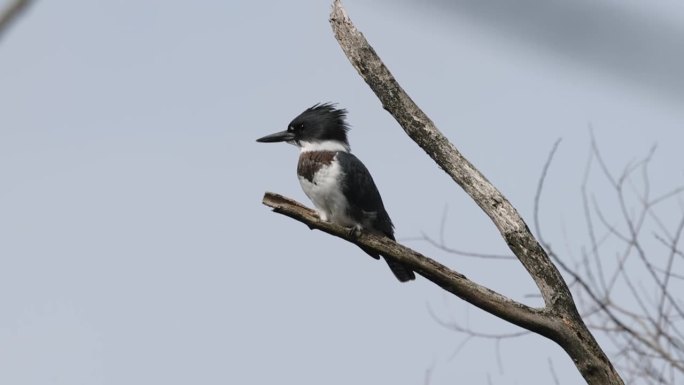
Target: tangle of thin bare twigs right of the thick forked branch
[{"x": 646, "y": 330}]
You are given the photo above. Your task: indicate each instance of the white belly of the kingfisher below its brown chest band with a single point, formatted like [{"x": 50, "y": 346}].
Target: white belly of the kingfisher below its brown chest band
[{"x": 326, "y": 194}]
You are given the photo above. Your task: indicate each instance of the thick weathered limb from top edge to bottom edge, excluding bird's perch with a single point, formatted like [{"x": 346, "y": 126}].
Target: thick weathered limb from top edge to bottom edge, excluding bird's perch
[{"x": 572, "y": 333}]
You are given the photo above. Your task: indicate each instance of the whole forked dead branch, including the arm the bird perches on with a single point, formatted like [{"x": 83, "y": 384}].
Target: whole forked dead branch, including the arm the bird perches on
[{"x": 559, "y": 319}]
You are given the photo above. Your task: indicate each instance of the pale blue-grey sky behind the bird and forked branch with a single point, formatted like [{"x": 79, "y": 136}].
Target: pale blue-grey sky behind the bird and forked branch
[{"x": 133, "y": 245}]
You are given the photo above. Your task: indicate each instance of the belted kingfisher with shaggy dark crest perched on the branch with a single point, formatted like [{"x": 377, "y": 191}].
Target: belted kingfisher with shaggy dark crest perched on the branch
[{"x": 336, "y": 181}]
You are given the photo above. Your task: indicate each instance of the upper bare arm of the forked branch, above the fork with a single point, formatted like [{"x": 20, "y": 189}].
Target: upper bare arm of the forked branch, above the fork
[{"x": 422, "y": 130}]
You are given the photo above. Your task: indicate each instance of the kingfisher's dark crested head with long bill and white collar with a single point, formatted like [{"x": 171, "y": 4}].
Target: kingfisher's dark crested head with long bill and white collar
[{"x": 319, "y": 128}]
